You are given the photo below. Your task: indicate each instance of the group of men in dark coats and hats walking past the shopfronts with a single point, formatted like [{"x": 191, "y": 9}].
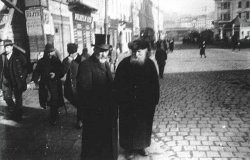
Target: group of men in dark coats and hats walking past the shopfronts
[{"x": 131, "y": 93}]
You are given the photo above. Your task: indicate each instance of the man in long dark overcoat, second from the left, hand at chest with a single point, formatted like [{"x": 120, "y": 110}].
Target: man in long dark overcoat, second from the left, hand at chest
[{"x": 49, "y": 70}]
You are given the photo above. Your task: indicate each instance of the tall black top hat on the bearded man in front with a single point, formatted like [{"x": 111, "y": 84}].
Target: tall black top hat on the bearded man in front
[{"x": 100, "y": 42}]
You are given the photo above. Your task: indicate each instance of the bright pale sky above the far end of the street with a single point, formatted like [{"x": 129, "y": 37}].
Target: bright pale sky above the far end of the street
[{"x": 187, "y": 6}]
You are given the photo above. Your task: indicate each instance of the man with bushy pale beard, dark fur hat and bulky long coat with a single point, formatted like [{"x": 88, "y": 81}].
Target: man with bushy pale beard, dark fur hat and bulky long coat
[{"x": 137, "y": 89}]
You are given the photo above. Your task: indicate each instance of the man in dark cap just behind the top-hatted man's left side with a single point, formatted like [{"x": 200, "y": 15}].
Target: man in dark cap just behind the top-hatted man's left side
[{"x": 71, "y": 64}]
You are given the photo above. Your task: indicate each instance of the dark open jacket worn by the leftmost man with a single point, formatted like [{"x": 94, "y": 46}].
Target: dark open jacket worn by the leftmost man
[{"x": 18, "y": 71}]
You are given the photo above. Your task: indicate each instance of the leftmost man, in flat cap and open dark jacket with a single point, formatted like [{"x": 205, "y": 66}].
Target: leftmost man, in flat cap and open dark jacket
[{"x": 13, "y": 74}]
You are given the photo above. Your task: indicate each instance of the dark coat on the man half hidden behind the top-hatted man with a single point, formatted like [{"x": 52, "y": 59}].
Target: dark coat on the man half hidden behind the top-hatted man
[{"x": 71, "y": 69}]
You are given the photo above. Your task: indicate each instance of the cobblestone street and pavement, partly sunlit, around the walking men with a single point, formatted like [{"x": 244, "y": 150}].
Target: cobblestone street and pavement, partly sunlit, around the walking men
[{"x": 203, "y": 114}]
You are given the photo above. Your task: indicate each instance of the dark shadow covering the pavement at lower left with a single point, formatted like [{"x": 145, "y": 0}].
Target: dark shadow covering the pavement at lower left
[{"x": 34, "y": 138}]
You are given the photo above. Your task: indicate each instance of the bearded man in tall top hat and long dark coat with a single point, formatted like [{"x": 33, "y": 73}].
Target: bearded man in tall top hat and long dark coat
[{"x": 94, "y": 87}]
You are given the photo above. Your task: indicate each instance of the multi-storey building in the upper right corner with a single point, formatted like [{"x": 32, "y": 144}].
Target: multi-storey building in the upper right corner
[{"x": 232, "y": 18}]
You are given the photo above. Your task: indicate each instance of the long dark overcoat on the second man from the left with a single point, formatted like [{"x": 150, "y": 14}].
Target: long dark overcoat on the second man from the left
[{"x": 46, "y": 84}]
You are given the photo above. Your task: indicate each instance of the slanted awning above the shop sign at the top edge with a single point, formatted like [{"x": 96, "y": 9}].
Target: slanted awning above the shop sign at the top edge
[{"x": 82, "y": 4}]
